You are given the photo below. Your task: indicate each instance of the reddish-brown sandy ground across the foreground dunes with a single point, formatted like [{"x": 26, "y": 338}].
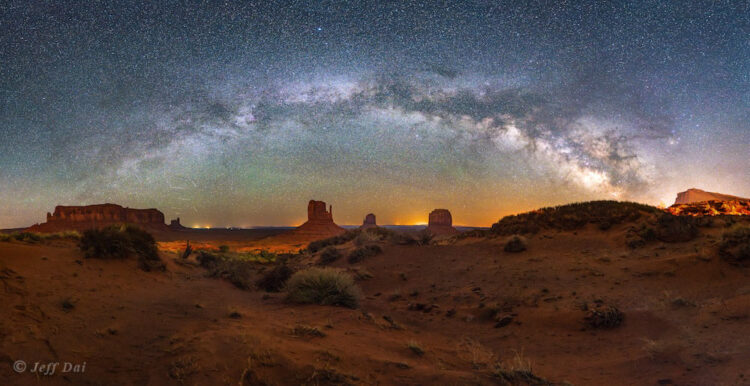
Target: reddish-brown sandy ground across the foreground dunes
[{"x": 686, "y": 317}]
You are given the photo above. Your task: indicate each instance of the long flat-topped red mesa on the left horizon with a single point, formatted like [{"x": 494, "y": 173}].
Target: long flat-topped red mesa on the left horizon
[{"x": 96, "y": 216}]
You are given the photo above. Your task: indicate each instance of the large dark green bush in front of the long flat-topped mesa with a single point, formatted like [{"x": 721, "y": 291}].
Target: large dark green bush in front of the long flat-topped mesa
[{"x": 120, "y": 242}]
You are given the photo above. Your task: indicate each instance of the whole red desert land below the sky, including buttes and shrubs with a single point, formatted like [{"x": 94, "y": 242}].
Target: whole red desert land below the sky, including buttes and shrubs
[{"x": 593, "y": 293}]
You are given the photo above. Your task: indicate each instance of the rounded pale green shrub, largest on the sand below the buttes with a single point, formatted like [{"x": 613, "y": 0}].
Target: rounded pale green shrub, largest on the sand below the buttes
[{"x": 324, "y": 286}]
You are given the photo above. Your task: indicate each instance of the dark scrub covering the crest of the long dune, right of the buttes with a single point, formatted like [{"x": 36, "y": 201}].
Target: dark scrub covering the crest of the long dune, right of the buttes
[{"x": 573, "y": 216}]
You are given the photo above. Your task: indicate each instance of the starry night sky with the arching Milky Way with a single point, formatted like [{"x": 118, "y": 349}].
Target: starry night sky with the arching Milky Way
[{"x": 237, "y": 113}]
